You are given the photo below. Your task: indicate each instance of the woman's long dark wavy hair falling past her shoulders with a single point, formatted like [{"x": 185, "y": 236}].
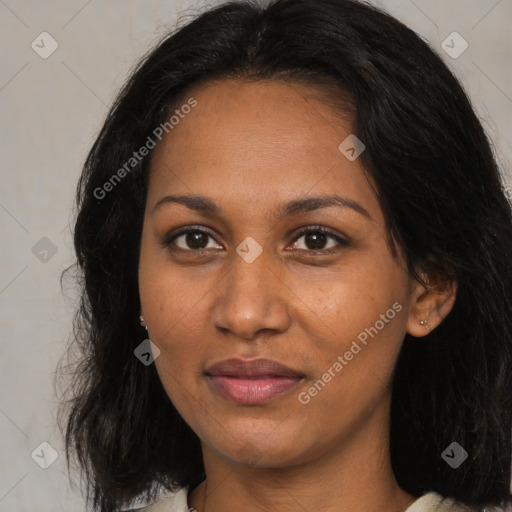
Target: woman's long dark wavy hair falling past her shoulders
[{"x": 440, "y": 190}]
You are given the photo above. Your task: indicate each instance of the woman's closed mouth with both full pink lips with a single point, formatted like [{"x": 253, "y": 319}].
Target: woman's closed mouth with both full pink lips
[{"x": 252, "y": 382}]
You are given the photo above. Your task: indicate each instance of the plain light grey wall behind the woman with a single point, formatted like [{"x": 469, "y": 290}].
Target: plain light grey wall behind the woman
[{"x": 51, "y": 111}]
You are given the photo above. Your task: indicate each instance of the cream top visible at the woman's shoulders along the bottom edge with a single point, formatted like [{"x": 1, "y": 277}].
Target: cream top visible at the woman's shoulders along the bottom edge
[{"x": 429, "y": 502}]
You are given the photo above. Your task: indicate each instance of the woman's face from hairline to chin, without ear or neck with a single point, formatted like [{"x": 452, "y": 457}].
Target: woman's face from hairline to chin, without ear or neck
[{"x": 257, "y": 163}]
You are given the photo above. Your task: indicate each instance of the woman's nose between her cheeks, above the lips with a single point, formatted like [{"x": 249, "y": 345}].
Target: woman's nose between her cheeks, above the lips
[{"x": 251, "y": 298}]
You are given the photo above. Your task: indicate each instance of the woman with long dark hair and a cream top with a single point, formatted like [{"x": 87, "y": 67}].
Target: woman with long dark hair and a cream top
[{"x": 299, "y": 208}]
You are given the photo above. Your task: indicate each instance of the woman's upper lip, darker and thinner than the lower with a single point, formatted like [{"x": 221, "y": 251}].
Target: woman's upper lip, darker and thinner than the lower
[{"x": 251, "y": 368}]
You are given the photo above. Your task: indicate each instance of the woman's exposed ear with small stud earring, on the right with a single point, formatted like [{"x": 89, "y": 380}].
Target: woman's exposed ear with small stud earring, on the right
[{"x": 431, "y": 302}]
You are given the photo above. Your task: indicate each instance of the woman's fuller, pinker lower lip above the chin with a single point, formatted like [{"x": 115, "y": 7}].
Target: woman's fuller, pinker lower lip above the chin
[{"x": 252, "y": 391}]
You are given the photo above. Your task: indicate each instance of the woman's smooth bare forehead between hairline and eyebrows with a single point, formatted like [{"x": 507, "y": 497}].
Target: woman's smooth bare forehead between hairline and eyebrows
[{"x": 267, "y": 139}]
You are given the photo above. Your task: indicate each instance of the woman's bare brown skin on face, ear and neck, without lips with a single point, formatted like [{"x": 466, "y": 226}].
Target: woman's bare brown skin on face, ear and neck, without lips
[{"x": 250, "y": 147}]
